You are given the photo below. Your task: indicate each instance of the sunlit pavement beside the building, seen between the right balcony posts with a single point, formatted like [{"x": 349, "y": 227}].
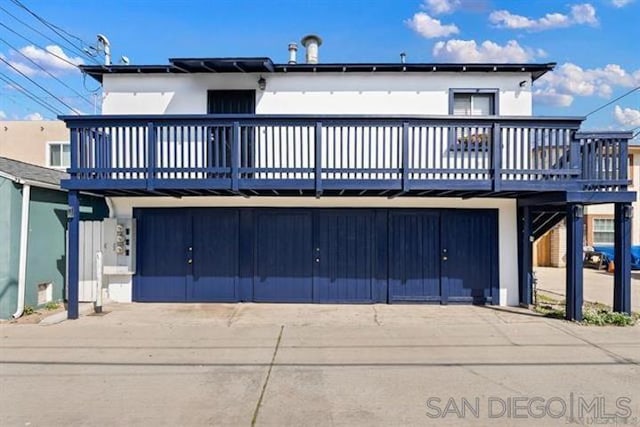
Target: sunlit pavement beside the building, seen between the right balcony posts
[{"x": 598, "y": 285}]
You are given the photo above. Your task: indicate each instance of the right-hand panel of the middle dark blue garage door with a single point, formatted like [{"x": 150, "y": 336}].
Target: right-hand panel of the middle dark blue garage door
[{"x": 344, "y": 256}]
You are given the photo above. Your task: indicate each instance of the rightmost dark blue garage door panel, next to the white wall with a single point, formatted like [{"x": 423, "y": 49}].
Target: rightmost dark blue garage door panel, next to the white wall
[{"x": 469, "y": 238}]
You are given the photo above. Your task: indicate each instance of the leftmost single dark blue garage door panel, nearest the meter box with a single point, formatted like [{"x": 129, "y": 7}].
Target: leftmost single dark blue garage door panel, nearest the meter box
[{"x": 162, "y": 256}]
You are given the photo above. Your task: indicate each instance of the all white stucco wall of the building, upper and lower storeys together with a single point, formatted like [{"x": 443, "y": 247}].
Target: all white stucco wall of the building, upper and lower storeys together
[{"x": 323, "y": 93}]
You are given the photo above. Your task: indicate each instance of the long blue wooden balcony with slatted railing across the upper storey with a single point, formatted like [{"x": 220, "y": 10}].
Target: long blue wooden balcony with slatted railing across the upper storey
[{"x": 341, "y": 155}]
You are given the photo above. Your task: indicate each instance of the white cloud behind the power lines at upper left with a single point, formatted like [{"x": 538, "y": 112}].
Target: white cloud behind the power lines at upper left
[{"x": 46, "y": 59}]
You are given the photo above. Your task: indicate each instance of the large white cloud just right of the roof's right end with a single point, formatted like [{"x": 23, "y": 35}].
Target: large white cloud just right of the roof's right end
[{"x": 570, "y": 80}]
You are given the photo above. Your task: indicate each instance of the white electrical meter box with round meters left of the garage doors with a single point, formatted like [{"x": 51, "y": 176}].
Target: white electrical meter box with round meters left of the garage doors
[{"x": 118, "y": 245}]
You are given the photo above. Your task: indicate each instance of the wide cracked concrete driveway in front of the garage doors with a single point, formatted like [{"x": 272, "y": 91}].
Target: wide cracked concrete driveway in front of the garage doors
[{"x": 280, "y": 365}]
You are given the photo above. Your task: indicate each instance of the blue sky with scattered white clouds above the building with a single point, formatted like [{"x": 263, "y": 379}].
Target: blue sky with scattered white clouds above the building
[{"x": 595, "y": 43}]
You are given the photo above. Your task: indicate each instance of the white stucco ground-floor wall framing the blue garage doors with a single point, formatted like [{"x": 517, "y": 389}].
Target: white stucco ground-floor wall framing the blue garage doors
[{"x": 120, "y": 287}]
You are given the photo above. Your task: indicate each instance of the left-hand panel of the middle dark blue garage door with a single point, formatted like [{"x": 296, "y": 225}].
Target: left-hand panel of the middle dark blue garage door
[{"x": 283, "y": 256}]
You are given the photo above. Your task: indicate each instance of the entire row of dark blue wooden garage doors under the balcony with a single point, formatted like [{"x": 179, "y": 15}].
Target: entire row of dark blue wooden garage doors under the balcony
[{"x": 321, "y": 255}]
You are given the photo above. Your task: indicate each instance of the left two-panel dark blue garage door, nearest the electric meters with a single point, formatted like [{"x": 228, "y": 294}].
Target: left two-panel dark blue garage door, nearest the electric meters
[{"x": 186, "y": 255}]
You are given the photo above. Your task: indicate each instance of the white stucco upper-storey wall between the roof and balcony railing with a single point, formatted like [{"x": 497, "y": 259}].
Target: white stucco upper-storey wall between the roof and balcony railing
[{"x": 313, "y": 93}]
